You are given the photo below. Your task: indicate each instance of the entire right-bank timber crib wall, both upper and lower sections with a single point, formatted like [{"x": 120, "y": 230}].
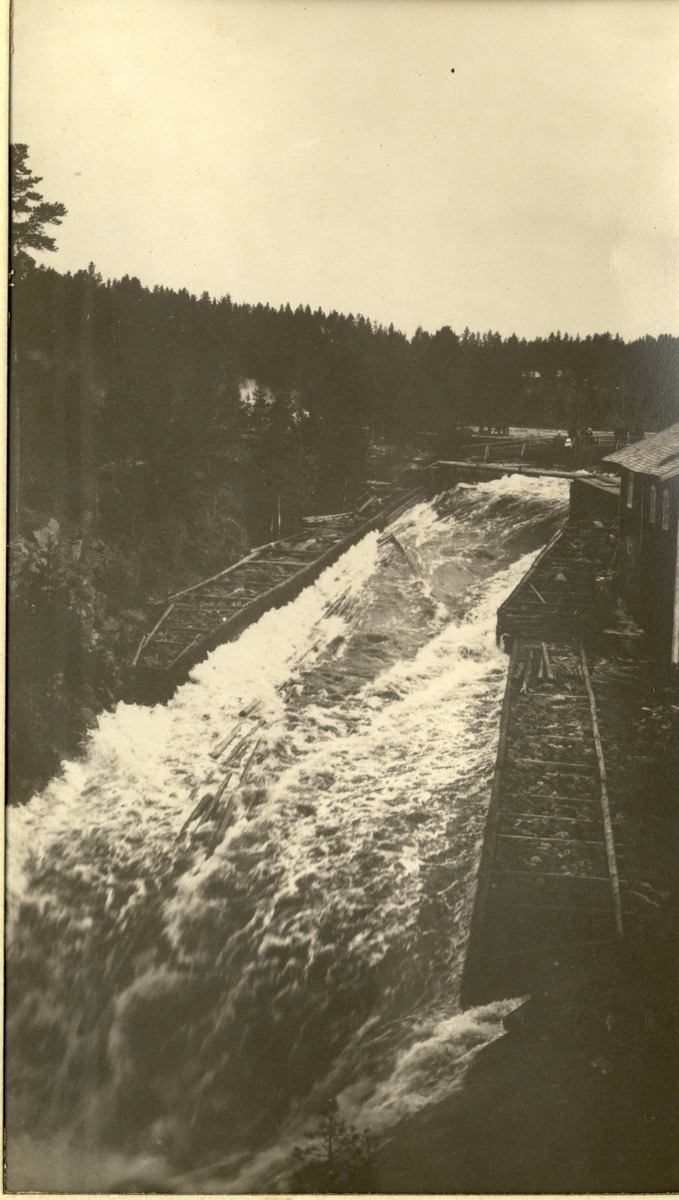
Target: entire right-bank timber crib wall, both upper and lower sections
[{"x": 555, "y": 875}]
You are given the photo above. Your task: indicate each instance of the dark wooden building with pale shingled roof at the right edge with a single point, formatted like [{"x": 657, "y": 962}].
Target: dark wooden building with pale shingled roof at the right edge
[{"x": 650, "y": 532}]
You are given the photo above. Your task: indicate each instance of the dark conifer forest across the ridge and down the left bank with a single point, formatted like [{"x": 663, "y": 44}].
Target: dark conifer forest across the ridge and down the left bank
[{"x": 155, "y": 436}]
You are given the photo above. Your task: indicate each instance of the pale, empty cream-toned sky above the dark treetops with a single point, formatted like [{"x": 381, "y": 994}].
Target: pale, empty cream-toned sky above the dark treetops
[{"x": 326, "y": 153}]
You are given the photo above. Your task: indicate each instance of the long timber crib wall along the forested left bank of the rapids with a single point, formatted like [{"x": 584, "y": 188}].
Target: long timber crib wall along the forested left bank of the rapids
[{"x": 199, "y": 619}]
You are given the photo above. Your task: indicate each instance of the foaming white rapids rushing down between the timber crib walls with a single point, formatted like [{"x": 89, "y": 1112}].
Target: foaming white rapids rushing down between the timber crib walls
[{"x": 177, "y": 1010}]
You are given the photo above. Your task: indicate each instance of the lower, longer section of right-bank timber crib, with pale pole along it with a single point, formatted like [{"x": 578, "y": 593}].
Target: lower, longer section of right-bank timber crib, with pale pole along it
[{"x": 552, "y": 873}]
